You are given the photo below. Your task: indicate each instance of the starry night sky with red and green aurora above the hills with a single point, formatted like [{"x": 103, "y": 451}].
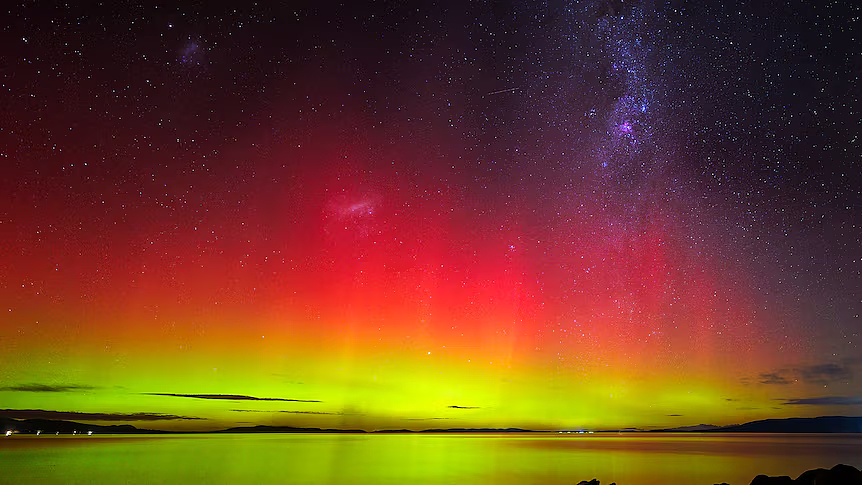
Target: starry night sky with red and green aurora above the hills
[{"x": 420, "y": 214}]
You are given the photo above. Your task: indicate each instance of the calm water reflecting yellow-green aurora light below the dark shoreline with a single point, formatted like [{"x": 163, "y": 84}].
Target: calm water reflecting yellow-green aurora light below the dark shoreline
[{"x": 628, "y": 459}]
